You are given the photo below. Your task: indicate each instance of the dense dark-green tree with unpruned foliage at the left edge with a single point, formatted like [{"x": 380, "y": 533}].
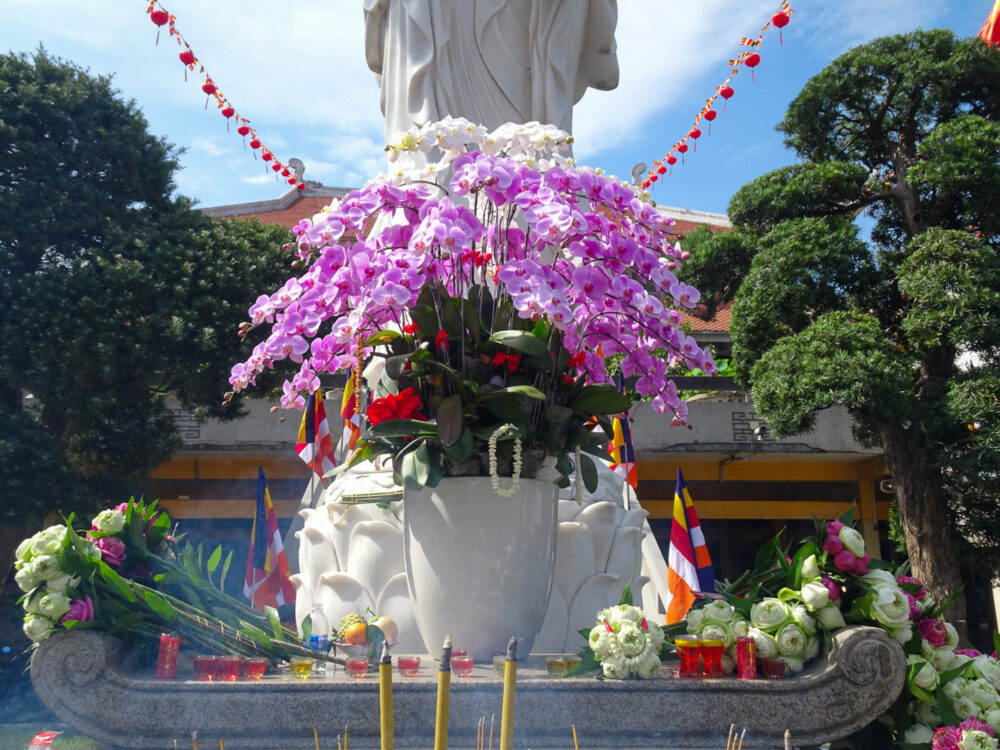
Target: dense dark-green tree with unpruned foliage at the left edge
[{"x": 115, "y": 293}]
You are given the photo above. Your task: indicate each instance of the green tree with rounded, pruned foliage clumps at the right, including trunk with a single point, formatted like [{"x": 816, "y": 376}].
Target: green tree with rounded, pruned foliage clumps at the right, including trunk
[{"x": 903, "y": 129}]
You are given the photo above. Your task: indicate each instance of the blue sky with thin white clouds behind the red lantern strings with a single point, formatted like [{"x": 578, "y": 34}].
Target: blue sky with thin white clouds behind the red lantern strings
[{"x": 297, "y": 71}]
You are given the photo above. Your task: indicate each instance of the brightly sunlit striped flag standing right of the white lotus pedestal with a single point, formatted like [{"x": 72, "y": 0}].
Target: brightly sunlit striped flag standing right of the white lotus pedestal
[{"x": 689, "y": 567}]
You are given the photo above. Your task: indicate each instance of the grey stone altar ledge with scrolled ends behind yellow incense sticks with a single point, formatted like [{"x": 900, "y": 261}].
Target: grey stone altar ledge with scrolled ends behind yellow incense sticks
[{"x": 81, "y": 676}]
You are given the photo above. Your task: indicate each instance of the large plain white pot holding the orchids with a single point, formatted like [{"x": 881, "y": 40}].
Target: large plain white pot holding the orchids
[{"x": 479, "y": 566}]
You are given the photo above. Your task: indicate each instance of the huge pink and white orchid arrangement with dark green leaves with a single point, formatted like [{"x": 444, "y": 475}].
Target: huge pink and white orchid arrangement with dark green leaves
[{"x": 500, "y": 293}]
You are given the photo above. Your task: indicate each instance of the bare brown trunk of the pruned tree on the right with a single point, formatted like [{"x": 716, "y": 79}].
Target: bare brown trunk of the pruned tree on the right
[{"x": 924, "y": 519}]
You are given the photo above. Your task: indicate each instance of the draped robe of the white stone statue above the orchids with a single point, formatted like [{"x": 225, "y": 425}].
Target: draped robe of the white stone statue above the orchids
[{"x": 490, "y": 61}]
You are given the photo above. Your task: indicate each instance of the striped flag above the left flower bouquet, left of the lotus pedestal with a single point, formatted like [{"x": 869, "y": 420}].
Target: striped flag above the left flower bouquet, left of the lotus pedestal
[{"x": 267, "y": 582}]
